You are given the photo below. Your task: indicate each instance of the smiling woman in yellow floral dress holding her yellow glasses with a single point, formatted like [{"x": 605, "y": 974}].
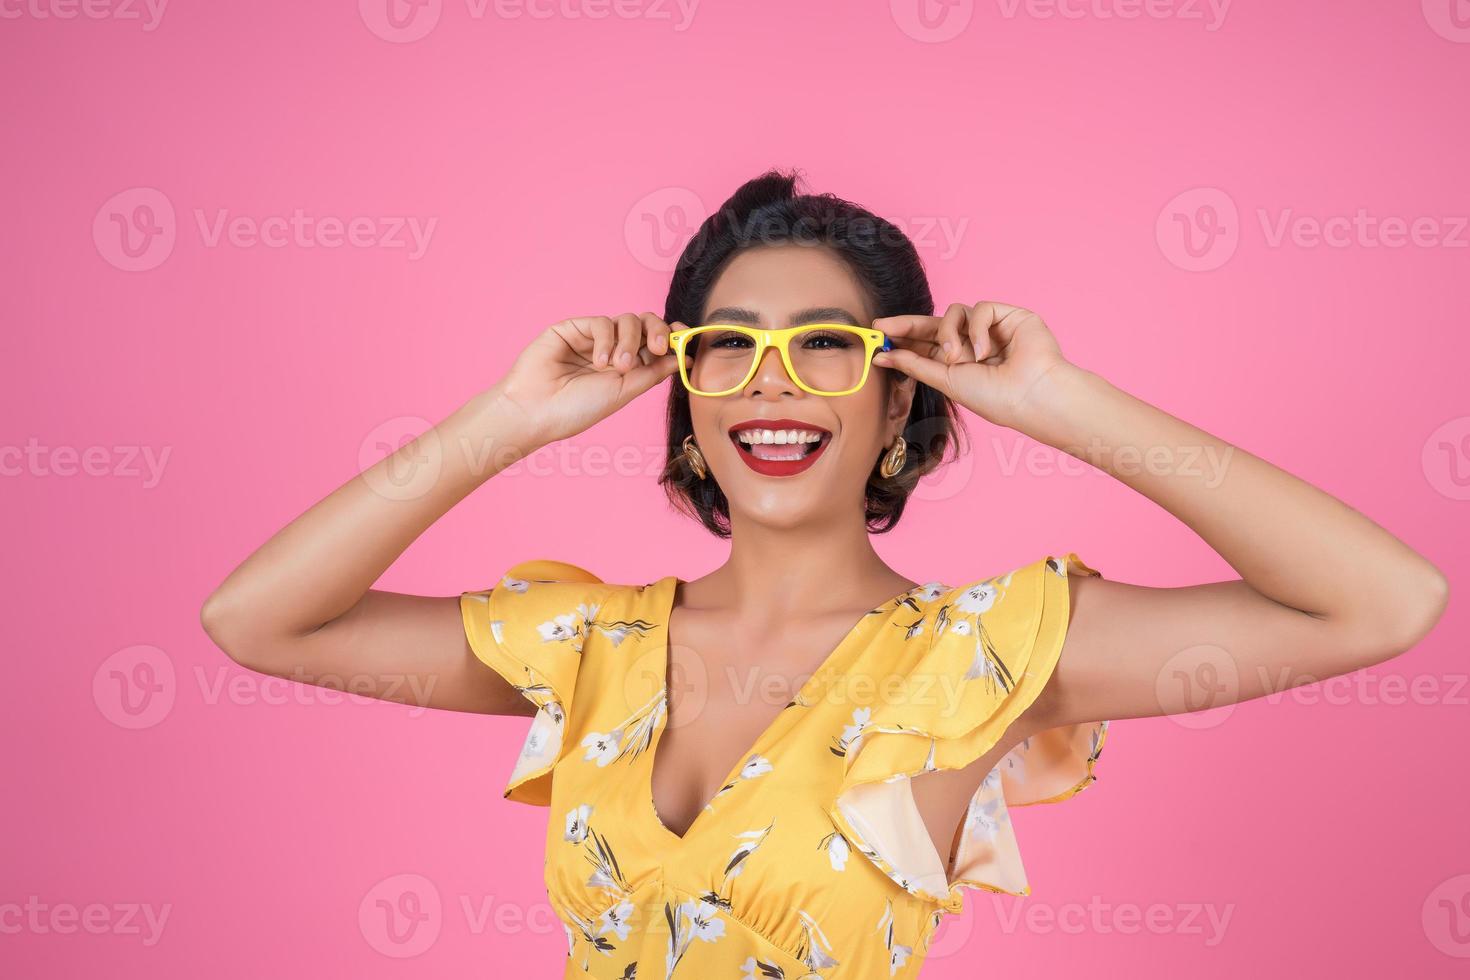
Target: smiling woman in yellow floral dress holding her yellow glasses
[{"x": 836, "y": 744}]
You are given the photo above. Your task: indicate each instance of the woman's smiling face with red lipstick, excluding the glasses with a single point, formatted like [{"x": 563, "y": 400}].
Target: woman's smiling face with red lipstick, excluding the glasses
[{"x": 789, "y": 286}]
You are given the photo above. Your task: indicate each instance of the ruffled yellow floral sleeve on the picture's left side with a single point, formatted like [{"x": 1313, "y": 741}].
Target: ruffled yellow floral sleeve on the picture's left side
[{"x": 530, "y": 630}]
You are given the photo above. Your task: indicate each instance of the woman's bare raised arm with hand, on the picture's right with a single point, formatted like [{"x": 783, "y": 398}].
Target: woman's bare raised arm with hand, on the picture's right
[{"x": 1322, "y": 591}]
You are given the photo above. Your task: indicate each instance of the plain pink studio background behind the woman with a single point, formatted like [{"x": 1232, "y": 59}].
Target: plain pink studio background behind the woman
[{"x": 561, "y": 158}]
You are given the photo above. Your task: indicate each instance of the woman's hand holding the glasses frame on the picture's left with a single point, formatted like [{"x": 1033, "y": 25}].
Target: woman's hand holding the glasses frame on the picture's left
[{"x": 584, "y": 370}]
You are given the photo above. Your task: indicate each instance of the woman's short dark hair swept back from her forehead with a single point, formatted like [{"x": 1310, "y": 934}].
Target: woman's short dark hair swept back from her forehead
[{"x": 768, "y": 211}]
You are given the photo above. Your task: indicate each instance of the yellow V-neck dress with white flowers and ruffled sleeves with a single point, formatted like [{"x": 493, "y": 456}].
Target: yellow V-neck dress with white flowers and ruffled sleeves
[{"x": 812, "y": 862}]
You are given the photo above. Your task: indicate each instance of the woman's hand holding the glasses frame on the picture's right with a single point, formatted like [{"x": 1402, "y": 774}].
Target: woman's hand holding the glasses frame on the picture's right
[{"x": 996, "y": 356}]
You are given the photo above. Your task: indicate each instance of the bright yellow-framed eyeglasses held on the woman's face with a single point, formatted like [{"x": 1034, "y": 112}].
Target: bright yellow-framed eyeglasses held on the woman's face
[{"x": 822, "y": 359}]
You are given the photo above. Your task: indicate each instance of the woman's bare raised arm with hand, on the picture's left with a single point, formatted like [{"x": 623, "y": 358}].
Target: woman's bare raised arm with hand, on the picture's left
[{"x": 302, "y": 606}]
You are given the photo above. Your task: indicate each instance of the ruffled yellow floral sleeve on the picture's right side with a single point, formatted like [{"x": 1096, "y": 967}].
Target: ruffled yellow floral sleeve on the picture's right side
[{"x": 993, "y": 647}]
